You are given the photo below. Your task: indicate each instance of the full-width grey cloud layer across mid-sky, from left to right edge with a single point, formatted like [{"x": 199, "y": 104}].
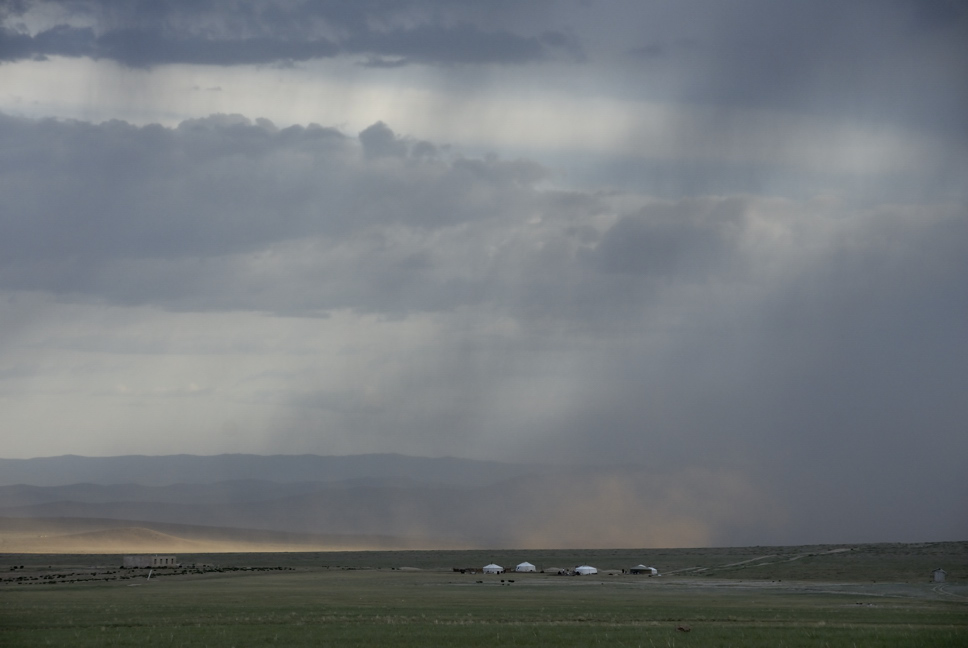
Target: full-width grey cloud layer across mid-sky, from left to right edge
[{"x": 389, "y": 217}]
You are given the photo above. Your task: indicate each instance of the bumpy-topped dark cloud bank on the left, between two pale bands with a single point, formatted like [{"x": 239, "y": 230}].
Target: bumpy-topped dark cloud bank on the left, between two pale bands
[{"x": 84, "y": 201}]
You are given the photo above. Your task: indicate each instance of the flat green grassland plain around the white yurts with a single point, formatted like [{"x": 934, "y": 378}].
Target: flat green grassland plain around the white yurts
[{"x": 868, "y": 595}]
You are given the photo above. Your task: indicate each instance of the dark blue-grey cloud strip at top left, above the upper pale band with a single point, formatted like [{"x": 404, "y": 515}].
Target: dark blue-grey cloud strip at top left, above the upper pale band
[{"x": 144, "y": 35}]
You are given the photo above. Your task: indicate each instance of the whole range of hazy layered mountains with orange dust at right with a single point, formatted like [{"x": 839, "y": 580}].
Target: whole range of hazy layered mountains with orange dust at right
[{"x": 426, "y": 502}]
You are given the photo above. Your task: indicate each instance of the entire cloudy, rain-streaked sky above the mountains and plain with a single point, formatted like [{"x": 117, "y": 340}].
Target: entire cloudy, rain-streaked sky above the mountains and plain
[{"x": 701, "y": 237}]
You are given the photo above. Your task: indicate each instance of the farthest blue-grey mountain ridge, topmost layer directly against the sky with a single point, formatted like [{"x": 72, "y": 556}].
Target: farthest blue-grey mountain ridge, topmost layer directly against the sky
[{"x": 167, "y": 470}]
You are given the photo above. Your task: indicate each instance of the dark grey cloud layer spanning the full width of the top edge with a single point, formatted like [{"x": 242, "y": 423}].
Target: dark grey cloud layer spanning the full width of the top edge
[{"x": 890, "y": 60}]
